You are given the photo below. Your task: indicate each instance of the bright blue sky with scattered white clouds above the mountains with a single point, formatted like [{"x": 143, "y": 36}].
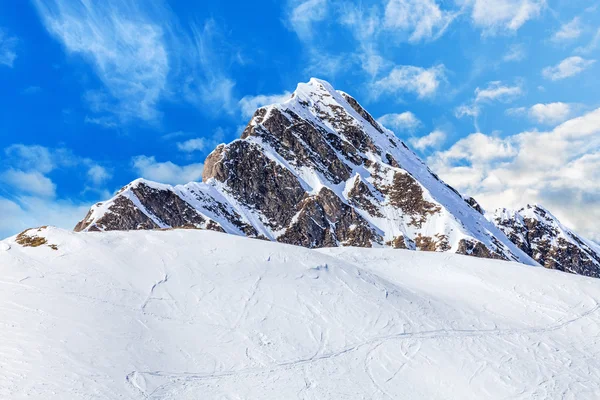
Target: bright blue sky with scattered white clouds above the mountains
[{"x": 500, "y": 97}]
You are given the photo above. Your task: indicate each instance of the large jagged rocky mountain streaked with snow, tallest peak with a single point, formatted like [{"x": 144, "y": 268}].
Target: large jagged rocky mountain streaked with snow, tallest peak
[{"x": 315, "y": 171}]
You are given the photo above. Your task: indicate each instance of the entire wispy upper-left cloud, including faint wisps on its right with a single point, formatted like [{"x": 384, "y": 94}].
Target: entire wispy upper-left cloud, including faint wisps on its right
[{"x": 142, "y": 56}]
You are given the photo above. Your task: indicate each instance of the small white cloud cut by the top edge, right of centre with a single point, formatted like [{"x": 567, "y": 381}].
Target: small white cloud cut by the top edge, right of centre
[{"x": 504, "y": 15}]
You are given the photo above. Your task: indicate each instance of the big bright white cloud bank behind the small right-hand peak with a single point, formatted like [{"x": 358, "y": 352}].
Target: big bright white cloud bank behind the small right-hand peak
[{"x": 557, "y": 168}]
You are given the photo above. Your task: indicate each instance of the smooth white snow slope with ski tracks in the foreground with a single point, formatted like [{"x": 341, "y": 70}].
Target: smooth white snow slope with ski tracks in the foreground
[{"x": 201, "y": 315}]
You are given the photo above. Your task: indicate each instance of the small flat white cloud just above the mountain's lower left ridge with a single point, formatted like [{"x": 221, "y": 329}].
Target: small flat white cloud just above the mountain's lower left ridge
[{"x": 166, "y": 172}]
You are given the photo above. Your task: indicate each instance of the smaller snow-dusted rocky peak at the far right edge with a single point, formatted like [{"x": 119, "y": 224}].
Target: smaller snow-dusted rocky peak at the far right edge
[{"x": 539, "y": 234}]
